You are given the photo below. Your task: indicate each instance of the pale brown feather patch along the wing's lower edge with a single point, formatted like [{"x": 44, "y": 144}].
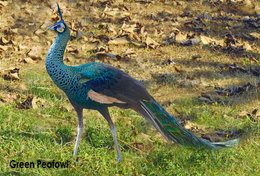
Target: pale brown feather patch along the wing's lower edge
[{"x": 102, "y": 98}]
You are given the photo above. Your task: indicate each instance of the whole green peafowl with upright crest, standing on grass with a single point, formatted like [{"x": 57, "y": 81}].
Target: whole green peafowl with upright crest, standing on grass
[{"x": 98, "y": 86}]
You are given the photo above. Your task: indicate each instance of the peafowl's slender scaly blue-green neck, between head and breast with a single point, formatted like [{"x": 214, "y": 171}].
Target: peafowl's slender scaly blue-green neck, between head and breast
[{"x": 57, "y": 49}]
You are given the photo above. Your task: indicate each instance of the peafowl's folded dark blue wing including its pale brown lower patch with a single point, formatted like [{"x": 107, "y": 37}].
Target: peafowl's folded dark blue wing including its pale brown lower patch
[{"x": 109, "y": 82}]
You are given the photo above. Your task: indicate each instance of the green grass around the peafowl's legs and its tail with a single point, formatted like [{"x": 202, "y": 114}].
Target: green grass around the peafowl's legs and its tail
[{"x": 28, "y": 135}]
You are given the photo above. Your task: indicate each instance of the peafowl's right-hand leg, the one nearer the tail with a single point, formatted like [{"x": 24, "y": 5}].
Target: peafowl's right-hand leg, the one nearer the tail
[{"x": 112, "y": 127}]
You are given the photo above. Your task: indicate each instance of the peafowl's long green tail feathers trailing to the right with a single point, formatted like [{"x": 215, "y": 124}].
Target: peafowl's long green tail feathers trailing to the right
[{"x": 172, "y": 130}]
